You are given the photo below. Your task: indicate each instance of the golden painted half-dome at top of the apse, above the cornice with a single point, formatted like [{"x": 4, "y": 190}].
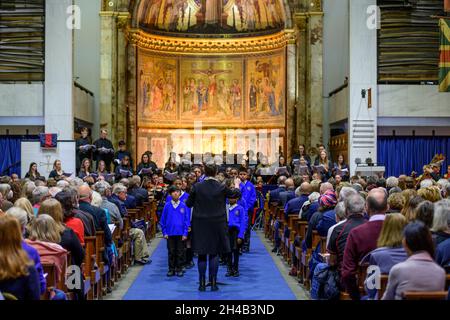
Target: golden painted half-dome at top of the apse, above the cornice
[{"x": 220, "y": 16}]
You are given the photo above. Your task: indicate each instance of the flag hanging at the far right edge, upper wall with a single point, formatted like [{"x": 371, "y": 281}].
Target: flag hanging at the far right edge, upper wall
[{"x": 444, "y": 62}]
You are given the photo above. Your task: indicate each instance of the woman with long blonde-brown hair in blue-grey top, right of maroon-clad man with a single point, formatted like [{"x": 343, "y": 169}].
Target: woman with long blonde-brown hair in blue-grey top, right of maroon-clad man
[{"x": 390, "y": 250}]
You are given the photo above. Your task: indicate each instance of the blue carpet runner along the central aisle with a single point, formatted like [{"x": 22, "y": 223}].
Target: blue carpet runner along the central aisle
[{"x": 260, "y": 279}]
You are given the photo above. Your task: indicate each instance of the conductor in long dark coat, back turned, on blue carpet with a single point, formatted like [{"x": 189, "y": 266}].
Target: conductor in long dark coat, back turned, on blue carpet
[{"x": 209, "y": 223}]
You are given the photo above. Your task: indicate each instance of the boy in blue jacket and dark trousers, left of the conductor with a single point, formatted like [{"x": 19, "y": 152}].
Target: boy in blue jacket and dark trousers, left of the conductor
[{"x": 175, "y": 222}]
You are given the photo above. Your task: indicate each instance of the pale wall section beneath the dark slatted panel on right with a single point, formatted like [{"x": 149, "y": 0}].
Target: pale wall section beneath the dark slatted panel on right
[{"x": 412, "y": 101}]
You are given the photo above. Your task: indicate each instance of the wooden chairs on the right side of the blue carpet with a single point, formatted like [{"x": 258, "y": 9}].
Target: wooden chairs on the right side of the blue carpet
[{"x": 294, "y": 256}]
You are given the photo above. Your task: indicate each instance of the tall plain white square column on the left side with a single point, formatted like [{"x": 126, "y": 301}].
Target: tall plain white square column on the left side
[{"x": 58, "y": 108}]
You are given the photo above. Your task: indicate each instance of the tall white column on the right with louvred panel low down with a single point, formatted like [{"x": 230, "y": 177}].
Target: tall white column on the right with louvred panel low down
[{"x": 362, "y": 76}]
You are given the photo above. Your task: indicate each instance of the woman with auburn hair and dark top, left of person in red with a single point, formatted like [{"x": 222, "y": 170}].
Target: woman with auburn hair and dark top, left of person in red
[{"x": 69, "y": 239}]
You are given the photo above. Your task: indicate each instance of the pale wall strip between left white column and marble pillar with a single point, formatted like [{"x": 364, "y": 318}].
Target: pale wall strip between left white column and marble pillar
[{"x": 87, "y": 53}]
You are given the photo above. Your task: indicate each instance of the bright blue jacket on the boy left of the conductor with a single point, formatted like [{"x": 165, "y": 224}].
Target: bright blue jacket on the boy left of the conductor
[{"x": 175, "y": 221}]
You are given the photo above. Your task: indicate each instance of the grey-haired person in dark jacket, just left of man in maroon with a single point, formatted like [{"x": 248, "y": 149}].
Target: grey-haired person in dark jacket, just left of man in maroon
[{"x": 354, "y": 211}]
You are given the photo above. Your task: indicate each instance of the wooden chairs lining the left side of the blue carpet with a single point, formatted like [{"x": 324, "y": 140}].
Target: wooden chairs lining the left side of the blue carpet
[{"x": 97, "y": 275}]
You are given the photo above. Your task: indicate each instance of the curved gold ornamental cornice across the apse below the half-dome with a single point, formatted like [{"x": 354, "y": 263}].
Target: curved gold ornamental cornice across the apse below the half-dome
[{"x": 229, "y": 46}]
